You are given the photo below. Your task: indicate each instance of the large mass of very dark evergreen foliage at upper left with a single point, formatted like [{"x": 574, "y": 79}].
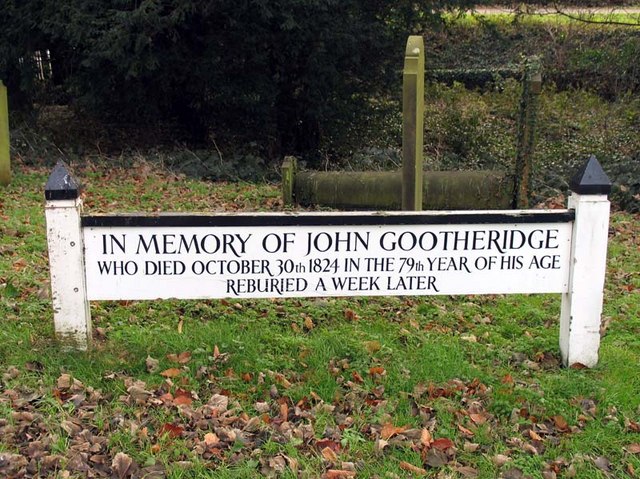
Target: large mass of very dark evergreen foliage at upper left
[{"x": 274, "y": 72}]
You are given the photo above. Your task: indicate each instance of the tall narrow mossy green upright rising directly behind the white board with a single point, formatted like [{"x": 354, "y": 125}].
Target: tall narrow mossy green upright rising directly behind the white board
[{"x": 412, "y": 124}]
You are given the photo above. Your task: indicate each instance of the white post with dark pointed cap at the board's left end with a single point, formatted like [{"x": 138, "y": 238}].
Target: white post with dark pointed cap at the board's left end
[{"x": 71, "y": 313}]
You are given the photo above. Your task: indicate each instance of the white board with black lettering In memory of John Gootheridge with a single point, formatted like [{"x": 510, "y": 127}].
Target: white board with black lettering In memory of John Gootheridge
[{"x": 270, "y": 257}]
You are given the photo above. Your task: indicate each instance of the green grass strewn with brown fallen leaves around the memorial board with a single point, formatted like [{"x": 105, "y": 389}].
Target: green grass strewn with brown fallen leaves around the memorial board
[{"x": 441, "y": 359}]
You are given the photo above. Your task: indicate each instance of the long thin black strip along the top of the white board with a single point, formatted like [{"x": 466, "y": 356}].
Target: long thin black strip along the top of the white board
[{"x": 169, "y": 220}]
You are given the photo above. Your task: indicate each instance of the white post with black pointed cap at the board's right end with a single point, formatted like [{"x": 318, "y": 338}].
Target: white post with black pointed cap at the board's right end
[{"x": 582, "y": 303}]
